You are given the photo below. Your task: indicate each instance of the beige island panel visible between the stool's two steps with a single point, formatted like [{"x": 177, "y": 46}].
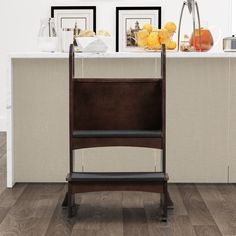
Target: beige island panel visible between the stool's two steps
[{"x": 120, "y": 159}]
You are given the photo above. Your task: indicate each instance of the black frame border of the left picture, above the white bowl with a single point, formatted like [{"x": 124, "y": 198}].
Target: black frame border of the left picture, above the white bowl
[{"x": 93, "y": 8}]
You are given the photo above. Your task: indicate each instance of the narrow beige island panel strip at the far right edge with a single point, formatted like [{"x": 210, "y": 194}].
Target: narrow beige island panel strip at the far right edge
[{"x": 232, "y": 129}]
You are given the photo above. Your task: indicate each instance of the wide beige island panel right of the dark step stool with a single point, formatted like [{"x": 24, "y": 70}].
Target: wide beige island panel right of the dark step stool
[{"x": 197, "y": 114}]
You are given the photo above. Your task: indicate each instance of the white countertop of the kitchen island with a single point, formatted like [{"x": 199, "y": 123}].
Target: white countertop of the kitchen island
[{"x": 118, "y": 55}]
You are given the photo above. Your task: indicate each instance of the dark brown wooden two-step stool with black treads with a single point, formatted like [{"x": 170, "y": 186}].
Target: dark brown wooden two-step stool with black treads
[{"x": 142, "y": 125}]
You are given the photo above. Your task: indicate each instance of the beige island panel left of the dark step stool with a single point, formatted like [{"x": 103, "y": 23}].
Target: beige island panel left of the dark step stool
[{"x": 40, "y": 105}]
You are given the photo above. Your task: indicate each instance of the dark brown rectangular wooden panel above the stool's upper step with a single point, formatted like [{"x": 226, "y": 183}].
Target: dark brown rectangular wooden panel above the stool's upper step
[{"x": 117, "y": 105}]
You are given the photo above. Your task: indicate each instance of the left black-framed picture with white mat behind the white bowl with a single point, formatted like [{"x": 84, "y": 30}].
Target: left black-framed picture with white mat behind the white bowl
[{"x": 67, "y": 16}]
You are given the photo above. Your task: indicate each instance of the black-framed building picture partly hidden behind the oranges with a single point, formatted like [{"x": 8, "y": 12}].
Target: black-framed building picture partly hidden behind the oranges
[{"x": 129, "y": 20}]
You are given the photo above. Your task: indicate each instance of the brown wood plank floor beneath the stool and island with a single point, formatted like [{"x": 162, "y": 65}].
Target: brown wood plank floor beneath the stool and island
[{"x": 35, "y": 209}]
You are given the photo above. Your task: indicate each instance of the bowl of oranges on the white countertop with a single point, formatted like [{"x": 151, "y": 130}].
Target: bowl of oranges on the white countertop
[{"x": 151, "y": 38}]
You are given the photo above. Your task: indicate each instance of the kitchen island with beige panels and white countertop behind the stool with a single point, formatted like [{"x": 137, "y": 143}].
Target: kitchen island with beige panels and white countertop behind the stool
[{"x": 201, "y": 116}]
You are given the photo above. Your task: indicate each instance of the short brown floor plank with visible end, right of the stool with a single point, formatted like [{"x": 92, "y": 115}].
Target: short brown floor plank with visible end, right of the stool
[{"x": 195, "y": 206}]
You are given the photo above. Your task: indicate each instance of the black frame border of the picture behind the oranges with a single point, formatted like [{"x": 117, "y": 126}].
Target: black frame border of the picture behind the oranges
[{"x": 118, "y": 9}]
